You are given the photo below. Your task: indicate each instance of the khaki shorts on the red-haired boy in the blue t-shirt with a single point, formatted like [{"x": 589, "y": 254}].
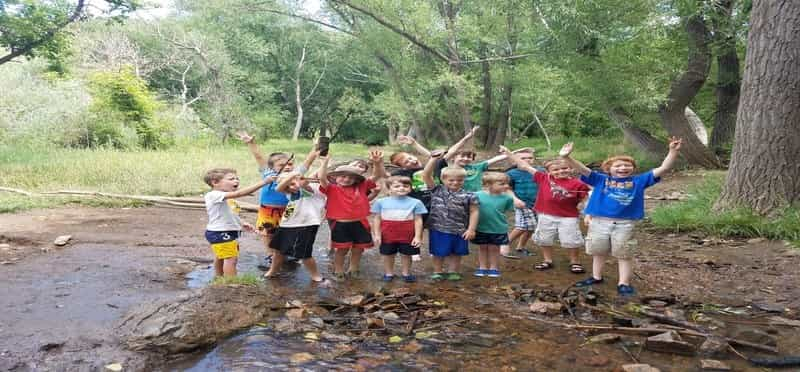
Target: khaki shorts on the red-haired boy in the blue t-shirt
[{"x": 611, "y": 235}]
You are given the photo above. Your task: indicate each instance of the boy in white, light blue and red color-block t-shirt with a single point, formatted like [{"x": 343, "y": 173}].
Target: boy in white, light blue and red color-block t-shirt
[{"x": 398, "y": 227}]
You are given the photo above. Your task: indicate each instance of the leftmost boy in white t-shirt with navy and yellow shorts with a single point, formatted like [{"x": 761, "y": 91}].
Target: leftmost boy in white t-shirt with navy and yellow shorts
[{"x": 224, "y": 224}]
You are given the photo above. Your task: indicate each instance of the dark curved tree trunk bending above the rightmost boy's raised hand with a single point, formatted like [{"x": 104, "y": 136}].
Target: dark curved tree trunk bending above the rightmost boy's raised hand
[{"x": 683, "y": 90}]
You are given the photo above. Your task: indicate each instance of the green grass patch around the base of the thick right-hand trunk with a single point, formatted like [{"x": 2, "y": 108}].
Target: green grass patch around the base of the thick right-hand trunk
[{"x": 697, "y": 214}]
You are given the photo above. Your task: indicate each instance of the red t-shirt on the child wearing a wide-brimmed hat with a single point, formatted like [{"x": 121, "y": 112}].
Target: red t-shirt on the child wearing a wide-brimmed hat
[{"x": 348, "y": 203}]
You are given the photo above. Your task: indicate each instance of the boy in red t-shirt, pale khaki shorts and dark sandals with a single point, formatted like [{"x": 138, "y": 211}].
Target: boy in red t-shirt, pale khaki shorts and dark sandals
[{"x": 557, "y": 208}]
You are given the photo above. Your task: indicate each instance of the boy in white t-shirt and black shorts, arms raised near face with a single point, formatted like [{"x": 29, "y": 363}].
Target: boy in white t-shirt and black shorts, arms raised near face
[{"x": 299, "y": 224}]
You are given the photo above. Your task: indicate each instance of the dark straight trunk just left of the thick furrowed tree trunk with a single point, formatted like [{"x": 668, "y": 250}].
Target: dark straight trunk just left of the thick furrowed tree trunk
[{"x": 728, "y": 78}]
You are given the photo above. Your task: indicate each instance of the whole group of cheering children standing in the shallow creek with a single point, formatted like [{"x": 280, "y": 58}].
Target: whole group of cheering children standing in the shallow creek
[{"x": 457, "y": 199}]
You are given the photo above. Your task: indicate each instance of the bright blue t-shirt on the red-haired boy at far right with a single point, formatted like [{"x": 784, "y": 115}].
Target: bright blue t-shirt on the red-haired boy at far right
[{"x": 618, "y": 197}]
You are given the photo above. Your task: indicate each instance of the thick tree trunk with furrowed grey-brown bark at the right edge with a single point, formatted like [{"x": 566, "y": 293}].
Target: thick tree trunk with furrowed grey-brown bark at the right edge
[{"x": 765, "y": 163}]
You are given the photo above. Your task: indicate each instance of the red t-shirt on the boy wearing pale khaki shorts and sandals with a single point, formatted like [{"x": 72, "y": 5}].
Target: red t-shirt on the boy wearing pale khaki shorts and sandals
[{"x": 559, "y": 197}]
